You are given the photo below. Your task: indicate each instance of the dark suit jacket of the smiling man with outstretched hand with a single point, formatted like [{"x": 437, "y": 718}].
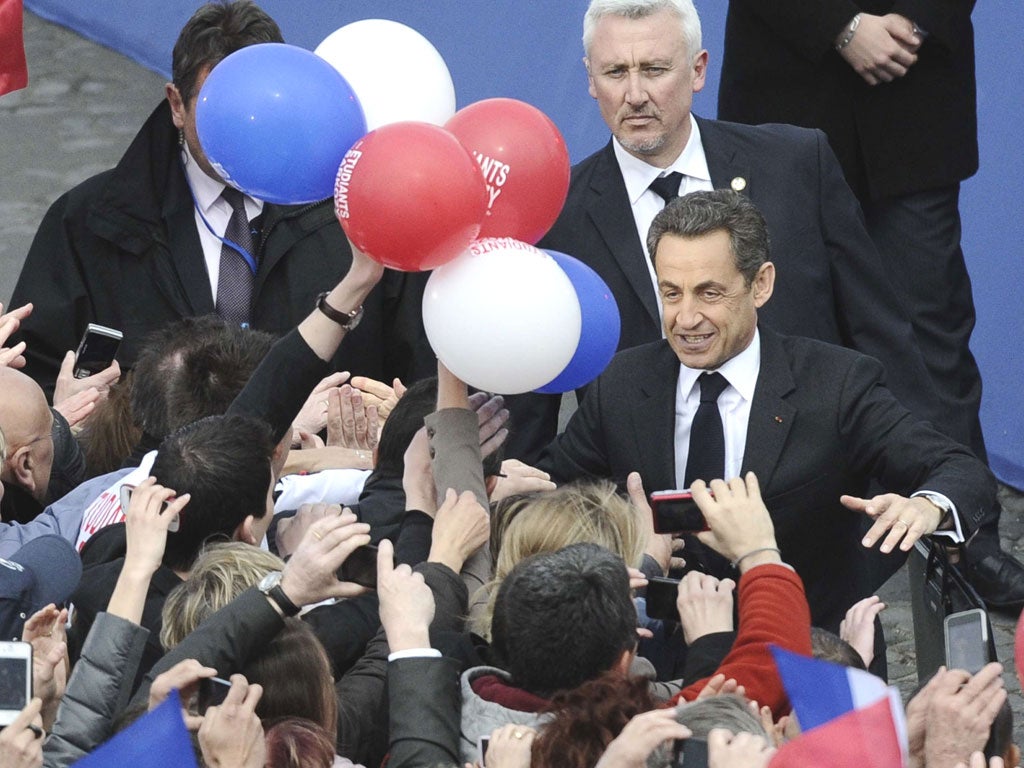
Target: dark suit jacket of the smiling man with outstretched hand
[{"x": 822, "y": 424}]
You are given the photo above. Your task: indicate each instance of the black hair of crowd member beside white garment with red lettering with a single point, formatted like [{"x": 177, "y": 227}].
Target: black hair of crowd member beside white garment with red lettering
[{"x": 225, "y": 463}]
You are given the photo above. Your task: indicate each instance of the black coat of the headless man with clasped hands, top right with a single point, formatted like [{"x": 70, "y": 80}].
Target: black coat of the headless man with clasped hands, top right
[{"x": 916, "y": 134}]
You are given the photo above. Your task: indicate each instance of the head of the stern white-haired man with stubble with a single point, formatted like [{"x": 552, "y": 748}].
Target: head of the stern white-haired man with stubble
[{"x": 645, "y": 80}]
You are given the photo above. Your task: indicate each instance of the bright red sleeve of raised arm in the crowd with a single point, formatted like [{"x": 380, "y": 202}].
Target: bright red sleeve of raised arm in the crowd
[{"x": 774, "y": 611}]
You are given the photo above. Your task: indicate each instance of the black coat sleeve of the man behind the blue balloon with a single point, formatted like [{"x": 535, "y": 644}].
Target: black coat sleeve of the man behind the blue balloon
[{"x": 52, "y": 280}]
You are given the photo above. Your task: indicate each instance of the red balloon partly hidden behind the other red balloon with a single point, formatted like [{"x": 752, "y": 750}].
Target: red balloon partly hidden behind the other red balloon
[{"x": 525, "y": 162}]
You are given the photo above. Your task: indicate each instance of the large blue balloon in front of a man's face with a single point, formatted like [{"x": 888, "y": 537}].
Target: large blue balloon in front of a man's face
[{"x": 276, "y": 121}]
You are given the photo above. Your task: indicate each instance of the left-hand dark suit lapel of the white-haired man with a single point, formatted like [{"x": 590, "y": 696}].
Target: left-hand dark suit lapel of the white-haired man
[{"x": 610, "y": 210}]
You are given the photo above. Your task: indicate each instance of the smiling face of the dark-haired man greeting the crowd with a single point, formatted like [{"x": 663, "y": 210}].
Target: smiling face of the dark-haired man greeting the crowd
[{"x": 710, "y": 312}]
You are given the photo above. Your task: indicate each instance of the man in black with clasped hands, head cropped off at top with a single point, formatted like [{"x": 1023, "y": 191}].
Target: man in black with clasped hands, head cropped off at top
[{"x": 892, "y": 84}]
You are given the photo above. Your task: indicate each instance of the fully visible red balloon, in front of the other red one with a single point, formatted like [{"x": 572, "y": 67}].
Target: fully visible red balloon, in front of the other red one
[{"x": 410, "y": 196}]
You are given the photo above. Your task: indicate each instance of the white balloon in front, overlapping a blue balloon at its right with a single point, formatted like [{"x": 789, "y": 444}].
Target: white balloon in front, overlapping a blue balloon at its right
[{"x": 503, "y": 317}]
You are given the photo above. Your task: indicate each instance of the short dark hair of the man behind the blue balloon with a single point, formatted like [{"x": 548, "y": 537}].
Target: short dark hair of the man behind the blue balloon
[{"x": 214, "y": 33}]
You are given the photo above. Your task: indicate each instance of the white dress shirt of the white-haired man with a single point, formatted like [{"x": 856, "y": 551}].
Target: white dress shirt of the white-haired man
[{"x": 646, "y": 203}]
